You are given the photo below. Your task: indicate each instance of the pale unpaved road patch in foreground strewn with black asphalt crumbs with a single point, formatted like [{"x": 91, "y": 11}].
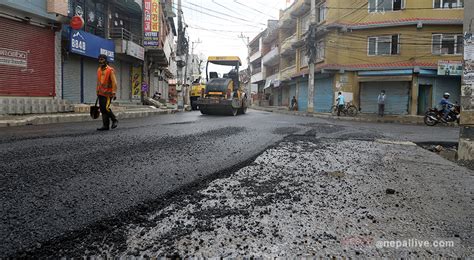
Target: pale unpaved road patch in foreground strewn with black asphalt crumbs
[{"x": 319, "y": 197}]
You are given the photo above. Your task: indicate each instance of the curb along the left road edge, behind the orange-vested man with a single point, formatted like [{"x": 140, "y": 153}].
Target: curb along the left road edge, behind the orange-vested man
[{"x": 79, "y": 117}]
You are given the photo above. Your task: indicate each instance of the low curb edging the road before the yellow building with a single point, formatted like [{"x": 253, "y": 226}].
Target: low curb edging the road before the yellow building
[{"x": 415, "y": 121}]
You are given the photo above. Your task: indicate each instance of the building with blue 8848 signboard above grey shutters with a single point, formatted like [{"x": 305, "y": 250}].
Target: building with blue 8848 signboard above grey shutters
[{"x": 113, "y": 28}]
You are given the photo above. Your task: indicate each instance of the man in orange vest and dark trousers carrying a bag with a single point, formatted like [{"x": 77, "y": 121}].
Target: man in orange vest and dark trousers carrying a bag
[{"x": 106, "y": 91}]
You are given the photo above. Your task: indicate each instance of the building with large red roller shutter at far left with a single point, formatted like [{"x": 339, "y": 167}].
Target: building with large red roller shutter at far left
[{"x": 30, "y": 57}]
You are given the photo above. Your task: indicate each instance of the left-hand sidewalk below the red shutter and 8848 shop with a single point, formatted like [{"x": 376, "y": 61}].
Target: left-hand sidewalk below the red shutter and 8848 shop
[{"x": 41, "y": 119}]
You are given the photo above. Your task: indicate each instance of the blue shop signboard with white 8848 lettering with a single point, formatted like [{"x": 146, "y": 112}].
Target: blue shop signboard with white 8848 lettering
[{"x": 90, "y": 45}]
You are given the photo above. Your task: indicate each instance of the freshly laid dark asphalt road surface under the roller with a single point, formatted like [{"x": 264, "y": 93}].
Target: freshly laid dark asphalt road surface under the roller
[{"x": 59, "y": 181}]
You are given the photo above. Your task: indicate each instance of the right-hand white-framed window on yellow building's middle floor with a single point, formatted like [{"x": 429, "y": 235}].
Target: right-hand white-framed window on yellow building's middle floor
[{"x": 447, "y": 44}]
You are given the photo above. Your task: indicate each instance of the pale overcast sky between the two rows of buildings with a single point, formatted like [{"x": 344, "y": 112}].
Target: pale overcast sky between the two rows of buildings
[{"x": 216, "y": 27}]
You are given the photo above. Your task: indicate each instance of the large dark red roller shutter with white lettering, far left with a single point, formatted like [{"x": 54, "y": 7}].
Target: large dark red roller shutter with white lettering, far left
[{"x": 31, "y": 49}]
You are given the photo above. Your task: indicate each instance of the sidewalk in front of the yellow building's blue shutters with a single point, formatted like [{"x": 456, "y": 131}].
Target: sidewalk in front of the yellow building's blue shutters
[{"x": 406, "y": 119}]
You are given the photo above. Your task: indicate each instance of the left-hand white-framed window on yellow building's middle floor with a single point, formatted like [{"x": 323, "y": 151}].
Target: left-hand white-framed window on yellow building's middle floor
[{"x": 384, "y": 45}]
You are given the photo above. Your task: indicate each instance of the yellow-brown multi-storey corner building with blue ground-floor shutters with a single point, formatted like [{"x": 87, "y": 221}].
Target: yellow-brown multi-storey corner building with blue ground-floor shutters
[{"x": 410, "y": 49}]
